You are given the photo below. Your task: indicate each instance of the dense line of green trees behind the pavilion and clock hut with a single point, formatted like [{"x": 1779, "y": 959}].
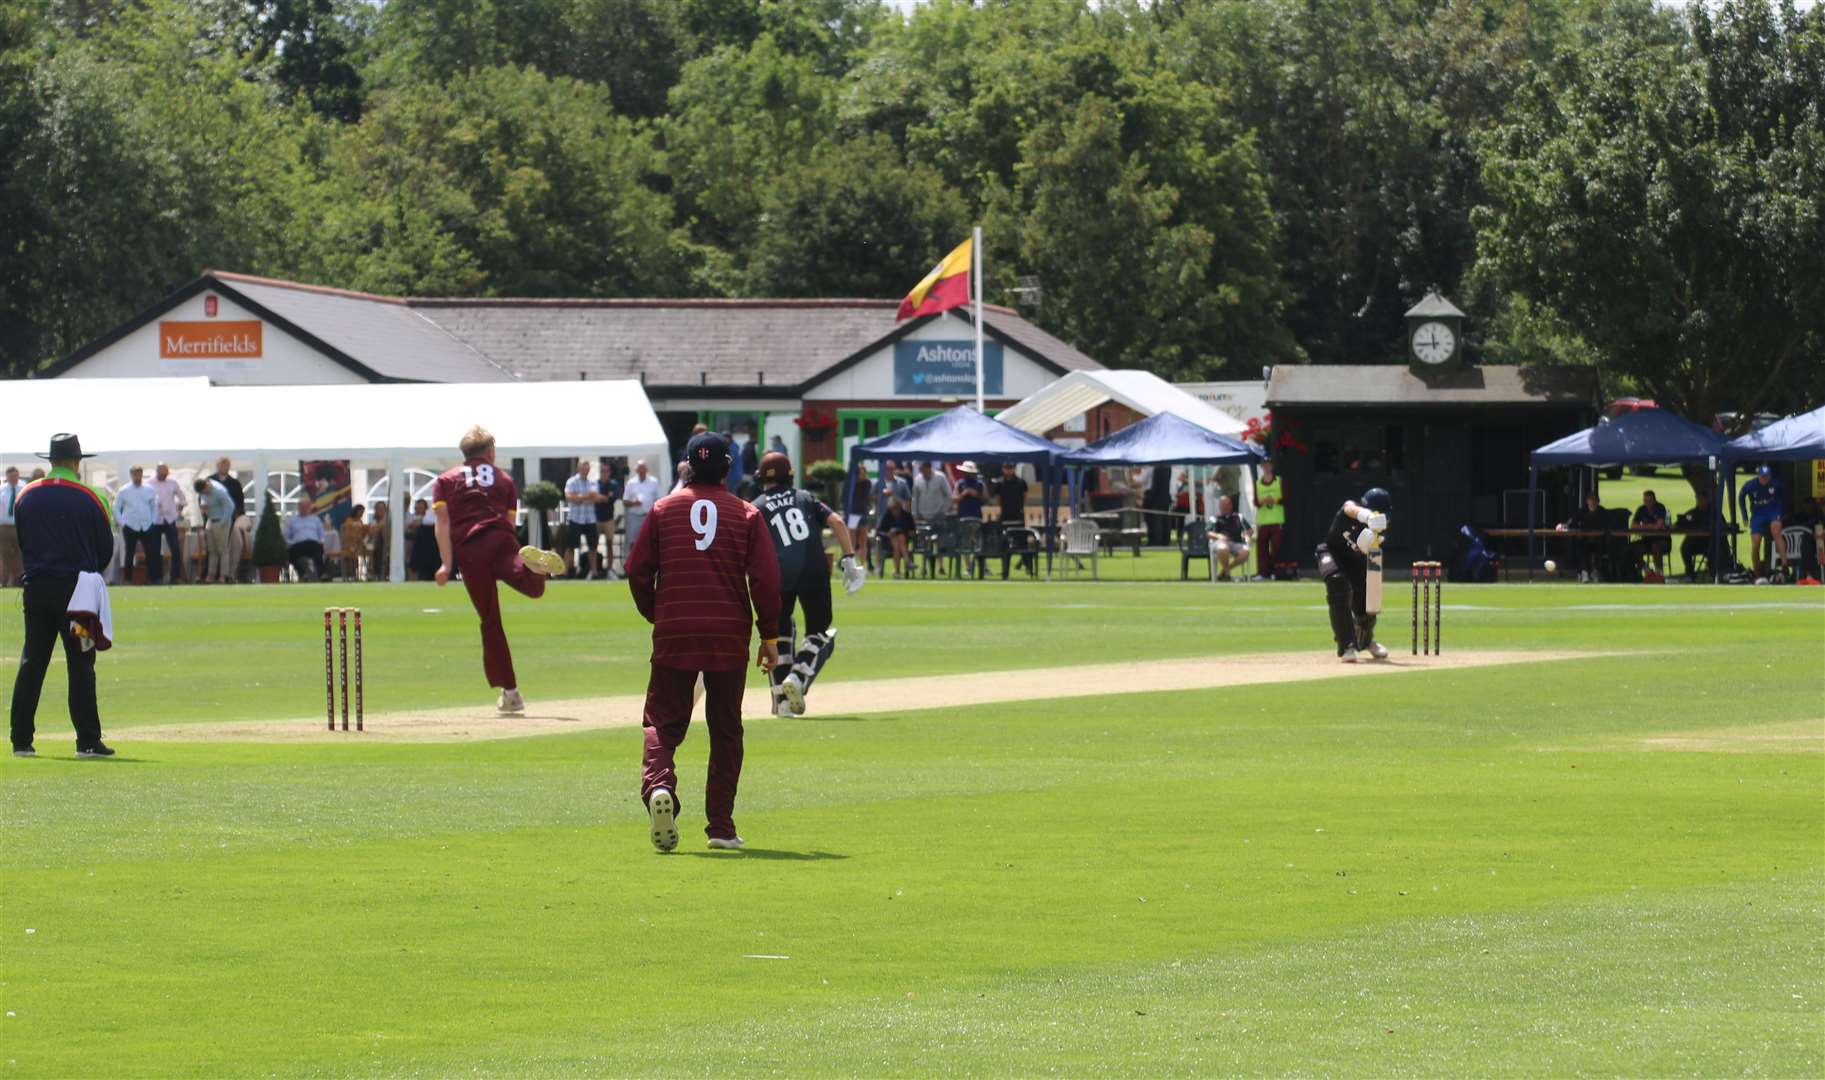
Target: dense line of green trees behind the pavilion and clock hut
[{"x": 1198, "y": 187}]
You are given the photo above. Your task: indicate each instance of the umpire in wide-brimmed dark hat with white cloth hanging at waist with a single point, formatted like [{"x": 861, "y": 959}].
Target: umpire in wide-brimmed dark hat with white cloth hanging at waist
[{"x": 65, "y": 530}]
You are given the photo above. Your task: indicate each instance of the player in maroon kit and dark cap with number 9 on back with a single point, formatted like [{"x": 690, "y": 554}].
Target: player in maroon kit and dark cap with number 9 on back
[{"x": 705, "y": 576}]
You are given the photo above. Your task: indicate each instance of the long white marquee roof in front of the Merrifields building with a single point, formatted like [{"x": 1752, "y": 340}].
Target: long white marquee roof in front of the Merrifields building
[{"x": 393, "y": 426}]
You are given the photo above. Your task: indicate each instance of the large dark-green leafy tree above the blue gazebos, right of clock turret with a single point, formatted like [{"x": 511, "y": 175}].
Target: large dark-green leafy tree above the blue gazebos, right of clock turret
[{"x": 1667, "y": 202}]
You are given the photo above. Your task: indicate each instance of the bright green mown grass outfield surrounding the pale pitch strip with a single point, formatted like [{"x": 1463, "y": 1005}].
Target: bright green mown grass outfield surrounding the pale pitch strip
[{"x": 1439, "y": 873}]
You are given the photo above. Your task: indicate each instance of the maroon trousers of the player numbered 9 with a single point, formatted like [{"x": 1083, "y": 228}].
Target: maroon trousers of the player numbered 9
[{"x": 667, "y": 720}]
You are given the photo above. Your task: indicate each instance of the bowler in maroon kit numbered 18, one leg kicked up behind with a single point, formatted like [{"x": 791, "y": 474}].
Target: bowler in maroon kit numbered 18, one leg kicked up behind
[{"x": 477, "y": 504}]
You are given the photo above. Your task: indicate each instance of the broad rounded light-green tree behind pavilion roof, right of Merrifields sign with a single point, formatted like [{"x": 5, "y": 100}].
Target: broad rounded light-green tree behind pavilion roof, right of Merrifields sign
[{"x": 503, "y": 183}]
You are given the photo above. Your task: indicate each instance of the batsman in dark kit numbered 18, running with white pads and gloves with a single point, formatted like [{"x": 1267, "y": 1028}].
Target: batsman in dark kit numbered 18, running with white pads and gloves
[{"x": 797, "y": 519}]
